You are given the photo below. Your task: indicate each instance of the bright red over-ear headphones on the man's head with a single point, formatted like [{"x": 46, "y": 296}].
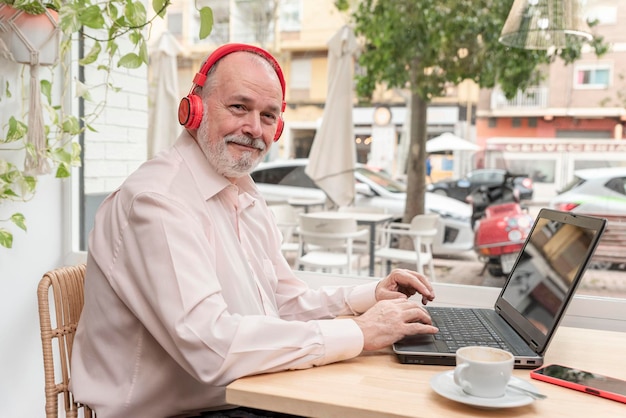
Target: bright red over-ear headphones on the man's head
[{"x": 190, "y": 107}]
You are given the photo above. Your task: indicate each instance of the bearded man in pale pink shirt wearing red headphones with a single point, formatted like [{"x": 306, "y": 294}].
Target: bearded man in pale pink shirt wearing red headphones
[{"x": 186, "y": 286}]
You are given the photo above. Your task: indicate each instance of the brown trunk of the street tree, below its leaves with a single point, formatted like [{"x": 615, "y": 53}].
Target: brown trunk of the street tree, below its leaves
[{"x": 416, "y": 159}]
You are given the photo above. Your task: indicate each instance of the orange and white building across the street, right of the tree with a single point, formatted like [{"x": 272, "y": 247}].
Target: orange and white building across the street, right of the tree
[{"x": 574, "y": 120}]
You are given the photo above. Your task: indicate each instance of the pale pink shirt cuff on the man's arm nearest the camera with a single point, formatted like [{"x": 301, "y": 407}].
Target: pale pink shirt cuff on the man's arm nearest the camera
[{"x": 343, "y": 339}]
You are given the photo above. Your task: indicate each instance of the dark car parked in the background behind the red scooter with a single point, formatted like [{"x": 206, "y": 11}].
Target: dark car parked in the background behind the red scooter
[{"x": 461, "y": 188}]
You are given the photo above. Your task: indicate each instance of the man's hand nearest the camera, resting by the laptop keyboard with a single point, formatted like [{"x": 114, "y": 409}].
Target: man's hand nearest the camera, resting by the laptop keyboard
[{"x": 389, "y": 320}]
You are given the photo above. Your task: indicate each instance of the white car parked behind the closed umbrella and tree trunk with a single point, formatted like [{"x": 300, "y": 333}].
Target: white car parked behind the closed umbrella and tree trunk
[{"x": 280, "y": 181}]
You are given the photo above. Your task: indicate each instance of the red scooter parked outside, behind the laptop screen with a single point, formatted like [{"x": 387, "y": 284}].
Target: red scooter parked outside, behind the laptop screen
[{"x": 501, "y": 225}]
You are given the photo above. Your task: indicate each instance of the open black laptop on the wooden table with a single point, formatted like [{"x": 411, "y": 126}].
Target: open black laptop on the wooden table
[{"x": 532, "y": 302}]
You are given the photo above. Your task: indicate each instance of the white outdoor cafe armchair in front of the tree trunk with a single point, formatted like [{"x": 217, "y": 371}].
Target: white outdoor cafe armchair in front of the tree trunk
[{"x": 421, "y": 231}]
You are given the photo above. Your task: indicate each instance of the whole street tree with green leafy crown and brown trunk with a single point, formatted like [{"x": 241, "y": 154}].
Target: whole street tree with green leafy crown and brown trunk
[{"x": 426, "y": 46}]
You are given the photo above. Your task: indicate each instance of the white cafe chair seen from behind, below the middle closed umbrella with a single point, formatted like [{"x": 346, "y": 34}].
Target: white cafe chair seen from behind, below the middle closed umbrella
[{"x": 327, "y": 243}]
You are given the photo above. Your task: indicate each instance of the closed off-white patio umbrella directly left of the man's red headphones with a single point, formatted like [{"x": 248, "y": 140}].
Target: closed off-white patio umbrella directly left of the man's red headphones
[{"x": 163, "y": 98}]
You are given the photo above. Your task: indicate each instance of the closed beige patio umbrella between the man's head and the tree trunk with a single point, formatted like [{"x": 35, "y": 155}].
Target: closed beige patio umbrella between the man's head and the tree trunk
[{"x": 333, "y": 154}]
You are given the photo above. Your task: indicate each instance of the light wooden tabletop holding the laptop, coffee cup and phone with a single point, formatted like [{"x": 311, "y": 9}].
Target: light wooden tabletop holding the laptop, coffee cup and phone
[{"x": 376, "y": 385}]
